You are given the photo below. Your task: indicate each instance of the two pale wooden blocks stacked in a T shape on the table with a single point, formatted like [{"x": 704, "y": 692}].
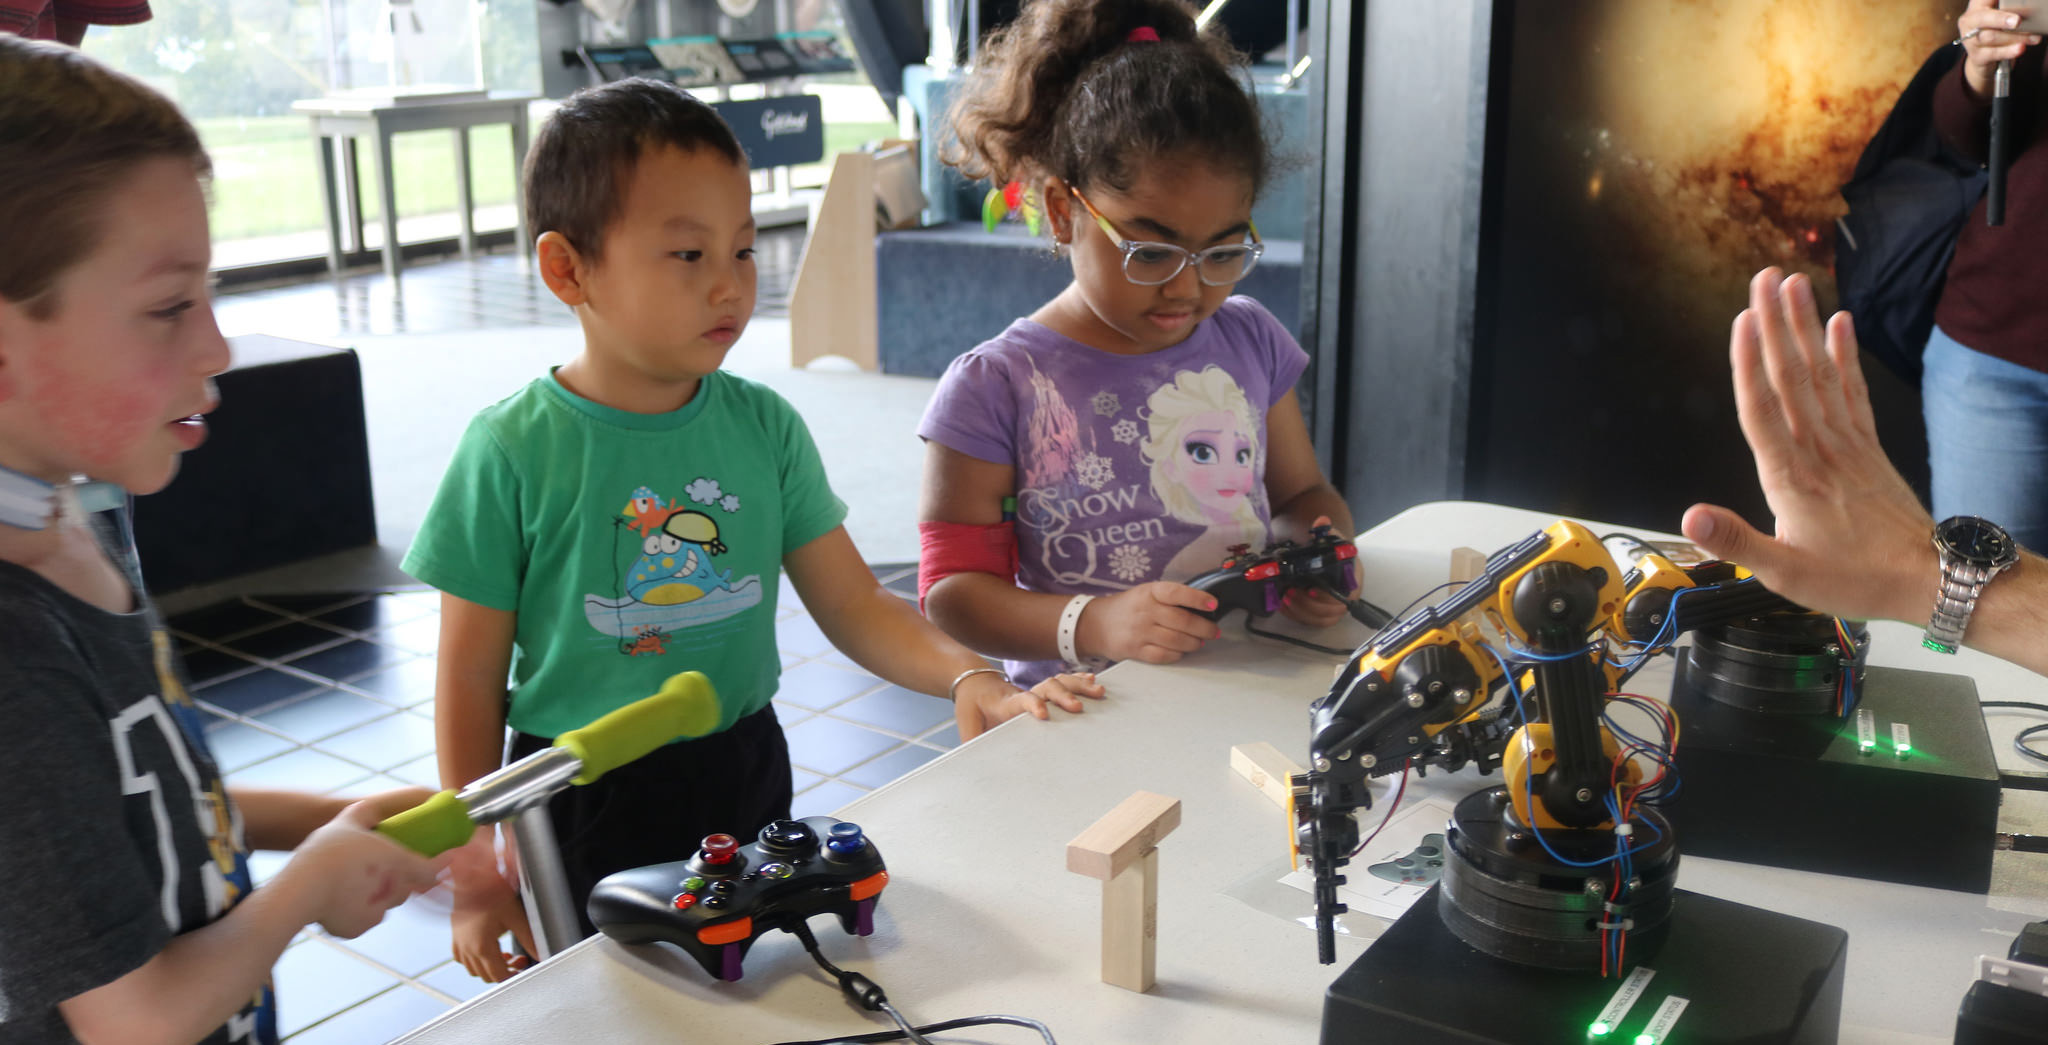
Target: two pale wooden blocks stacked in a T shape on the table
[{"x": 1123, "y": 851}]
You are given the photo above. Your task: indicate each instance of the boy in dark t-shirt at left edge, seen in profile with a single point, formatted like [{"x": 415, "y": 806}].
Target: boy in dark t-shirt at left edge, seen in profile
[{"x": 126, "y": 901}]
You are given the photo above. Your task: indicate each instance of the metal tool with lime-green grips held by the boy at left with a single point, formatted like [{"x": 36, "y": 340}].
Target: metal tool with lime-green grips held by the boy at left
[{"x": 685, "y": 708}]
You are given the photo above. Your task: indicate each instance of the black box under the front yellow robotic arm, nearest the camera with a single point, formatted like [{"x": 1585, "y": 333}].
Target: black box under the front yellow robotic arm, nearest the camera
[{"x": 1748, "y": 976}]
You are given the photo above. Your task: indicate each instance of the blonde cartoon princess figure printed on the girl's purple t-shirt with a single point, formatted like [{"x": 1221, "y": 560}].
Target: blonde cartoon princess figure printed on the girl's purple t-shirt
[{"x": 1203, "y": 450}]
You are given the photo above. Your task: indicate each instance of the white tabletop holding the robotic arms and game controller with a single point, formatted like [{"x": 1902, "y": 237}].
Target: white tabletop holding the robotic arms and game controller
[{"x": 982, "y": 915}]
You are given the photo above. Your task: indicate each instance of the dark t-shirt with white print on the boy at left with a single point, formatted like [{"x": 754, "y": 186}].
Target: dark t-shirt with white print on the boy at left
[{"x": 116, "y": 831}]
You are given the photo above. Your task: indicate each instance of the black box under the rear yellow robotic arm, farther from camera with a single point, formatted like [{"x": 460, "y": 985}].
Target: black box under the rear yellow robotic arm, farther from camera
[{"x": 1805, "y": 792}]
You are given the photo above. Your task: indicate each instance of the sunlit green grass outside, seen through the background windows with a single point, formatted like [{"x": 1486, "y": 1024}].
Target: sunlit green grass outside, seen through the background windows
[{"x": 267, "y": 183}]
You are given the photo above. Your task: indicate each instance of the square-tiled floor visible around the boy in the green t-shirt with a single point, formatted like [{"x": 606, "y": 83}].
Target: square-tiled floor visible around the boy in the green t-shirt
[{"x": 337, "y": 694}]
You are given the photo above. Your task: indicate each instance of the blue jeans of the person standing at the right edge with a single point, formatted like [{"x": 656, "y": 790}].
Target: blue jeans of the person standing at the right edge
[{"x": 1988, "y": 437}]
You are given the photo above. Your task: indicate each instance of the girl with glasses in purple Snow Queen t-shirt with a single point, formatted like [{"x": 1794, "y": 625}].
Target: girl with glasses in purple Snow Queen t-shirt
[{"x": 1144, "y": 423}]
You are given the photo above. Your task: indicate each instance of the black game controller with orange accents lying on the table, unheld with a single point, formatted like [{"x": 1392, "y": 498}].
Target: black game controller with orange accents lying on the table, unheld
[{"x": 718, "y": 903}]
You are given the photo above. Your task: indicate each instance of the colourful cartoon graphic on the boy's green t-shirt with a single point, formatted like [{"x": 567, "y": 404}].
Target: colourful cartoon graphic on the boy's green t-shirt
[{"x": 673, "y": 579}]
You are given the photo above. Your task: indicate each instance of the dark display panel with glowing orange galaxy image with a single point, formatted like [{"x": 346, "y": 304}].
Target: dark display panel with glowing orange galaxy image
[{"x": 1644, "y": 163}]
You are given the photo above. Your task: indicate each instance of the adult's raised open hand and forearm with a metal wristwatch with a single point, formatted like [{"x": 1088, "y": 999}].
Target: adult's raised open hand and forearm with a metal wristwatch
[{"x": 1852, "y": 538}]
